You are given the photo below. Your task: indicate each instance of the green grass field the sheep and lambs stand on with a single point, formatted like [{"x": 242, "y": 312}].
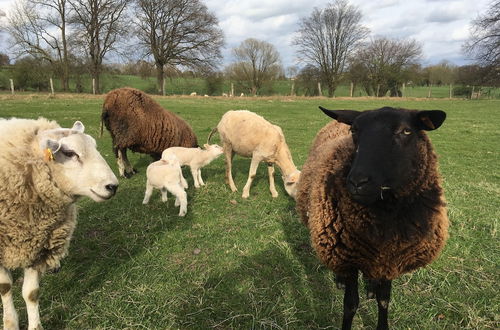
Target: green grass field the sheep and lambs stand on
[{"x": 247, "y": 264}]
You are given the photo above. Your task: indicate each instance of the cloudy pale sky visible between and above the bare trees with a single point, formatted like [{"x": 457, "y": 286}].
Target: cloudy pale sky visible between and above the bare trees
[{"x": 441, "y": 26}]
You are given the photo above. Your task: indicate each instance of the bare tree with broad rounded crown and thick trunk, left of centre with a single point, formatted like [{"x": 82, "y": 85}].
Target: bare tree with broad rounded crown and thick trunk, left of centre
[{"x": 178, "y": 33}]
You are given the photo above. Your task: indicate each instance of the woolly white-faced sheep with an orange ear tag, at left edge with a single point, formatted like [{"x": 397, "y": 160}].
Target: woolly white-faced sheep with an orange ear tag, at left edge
[{"x": 43, "y": 170}]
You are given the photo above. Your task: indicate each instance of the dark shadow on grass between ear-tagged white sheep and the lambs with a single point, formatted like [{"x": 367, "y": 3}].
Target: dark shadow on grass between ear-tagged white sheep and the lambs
[{"x": 108, "y": 235}]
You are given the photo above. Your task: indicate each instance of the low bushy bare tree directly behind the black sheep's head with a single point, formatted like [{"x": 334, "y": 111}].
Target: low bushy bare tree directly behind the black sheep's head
[{"x": 385, "y": 63}]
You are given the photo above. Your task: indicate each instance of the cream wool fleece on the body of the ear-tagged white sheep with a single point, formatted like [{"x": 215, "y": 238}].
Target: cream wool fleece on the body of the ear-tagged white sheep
[{"x": 37, "y": 219}]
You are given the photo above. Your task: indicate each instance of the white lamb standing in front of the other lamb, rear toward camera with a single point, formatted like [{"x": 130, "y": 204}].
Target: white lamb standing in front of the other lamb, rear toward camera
[{"x": 166, "y": 175}]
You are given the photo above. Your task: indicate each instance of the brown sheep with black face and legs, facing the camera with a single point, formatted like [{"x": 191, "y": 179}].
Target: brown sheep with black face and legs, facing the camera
[{"x": 373, "y": 201}]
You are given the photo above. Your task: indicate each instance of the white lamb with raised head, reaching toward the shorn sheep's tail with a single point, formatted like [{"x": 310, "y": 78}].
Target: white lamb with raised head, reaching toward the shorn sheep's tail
[{"x": 195, "y": 158}]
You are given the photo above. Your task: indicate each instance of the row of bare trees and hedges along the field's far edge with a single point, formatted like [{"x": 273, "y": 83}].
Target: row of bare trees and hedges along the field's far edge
[{"x": 72, "y": 38}]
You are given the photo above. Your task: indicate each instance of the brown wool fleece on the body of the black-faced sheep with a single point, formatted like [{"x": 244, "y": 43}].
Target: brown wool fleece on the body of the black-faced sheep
[{"x": 347, "y": 236}]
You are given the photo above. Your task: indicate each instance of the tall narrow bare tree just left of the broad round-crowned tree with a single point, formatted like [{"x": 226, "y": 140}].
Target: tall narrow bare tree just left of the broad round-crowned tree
[{"x": 99, "y": 25}]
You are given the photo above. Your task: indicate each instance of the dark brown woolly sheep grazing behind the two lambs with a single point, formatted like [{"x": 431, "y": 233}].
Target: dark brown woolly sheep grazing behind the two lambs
[{"x": 137, "y": 122}]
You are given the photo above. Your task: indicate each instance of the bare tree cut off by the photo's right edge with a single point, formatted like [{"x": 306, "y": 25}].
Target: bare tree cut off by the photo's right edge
[{"x": 484, "y": 40}]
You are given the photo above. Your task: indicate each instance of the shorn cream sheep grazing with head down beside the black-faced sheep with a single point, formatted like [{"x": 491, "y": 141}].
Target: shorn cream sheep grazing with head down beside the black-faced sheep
[{"x": 250, "y": 135}]
